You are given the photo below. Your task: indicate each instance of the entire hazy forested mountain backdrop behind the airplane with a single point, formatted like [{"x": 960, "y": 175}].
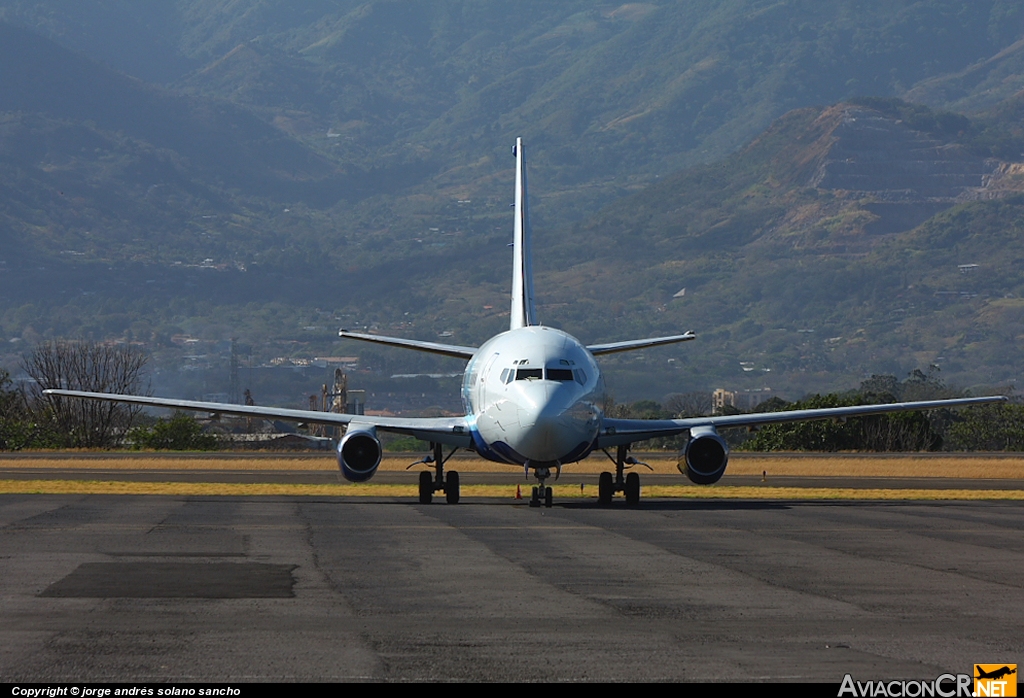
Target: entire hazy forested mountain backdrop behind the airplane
[{"x": 222, "y": 170}]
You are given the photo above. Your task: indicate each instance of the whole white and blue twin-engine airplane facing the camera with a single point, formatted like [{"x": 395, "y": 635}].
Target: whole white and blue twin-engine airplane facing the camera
[{"x": 533, "y": 398}]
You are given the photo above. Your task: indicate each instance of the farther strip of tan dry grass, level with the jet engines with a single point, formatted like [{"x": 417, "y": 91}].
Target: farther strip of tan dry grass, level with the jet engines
[{"x": 882, "y": 466}]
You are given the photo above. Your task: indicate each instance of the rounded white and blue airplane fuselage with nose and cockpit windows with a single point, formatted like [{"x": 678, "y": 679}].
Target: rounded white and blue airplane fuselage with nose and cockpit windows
[{"x": 534, "y": 398}]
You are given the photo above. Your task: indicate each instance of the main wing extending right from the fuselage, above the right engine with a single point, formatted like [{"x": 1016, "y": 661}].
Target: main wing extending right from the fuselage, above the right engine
[{"x": 619, "y": 432}]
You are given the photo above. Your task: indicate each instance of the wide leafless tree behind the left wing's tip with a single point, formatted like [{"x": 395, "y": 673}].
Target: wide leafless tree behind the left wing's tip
[{"x": 86, "y": 366}]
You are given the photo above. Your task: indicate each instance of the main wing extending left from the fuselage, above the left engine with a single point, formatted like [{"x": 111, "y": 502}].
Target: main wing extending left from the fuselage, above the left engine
[{"x": 453, "y": 431}]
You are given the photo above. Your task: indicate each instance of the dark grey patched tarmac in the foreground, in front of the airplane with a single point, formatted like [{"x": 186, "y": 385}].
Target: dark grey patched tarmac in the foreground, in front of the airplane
[{"x": 247, "y": 589}]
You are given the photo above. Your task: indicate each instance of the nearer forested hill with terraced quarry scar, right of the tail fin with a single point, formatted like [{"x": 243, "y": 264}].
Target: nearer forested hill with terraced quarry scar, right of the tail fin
[{"x": 870, "y": 237}]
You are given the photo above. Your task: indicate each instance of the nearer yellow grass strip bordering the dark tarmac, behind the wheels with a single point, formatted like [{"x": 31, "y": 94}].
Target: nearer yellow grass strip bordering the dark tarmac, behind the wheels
[{"x": 502, "y": 492}]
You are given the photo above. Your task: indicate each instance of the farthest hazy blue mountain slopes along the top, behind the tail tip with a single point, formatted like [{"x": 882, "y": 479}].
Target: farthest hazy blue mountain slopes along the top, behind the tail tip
[{"x": 603, "y": 92}]
